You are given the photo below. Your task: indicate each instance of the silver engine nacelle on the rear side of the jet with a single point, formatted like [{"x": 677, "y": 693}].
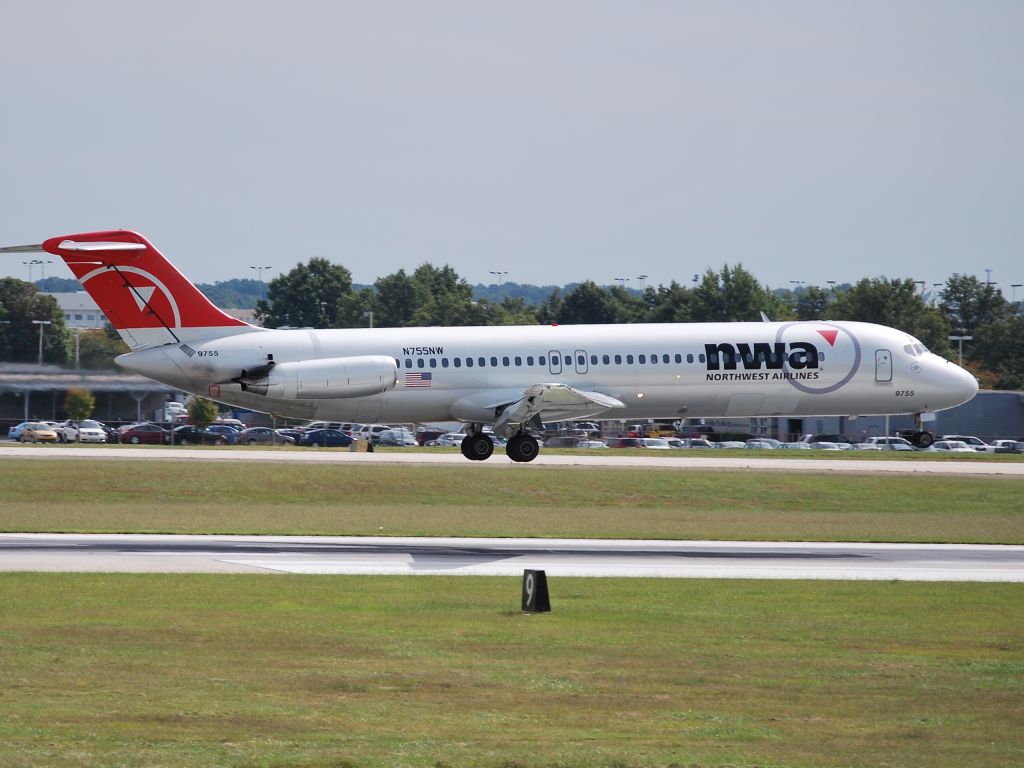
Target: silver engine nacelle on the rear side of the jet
[{"x": 324, "y": 379}]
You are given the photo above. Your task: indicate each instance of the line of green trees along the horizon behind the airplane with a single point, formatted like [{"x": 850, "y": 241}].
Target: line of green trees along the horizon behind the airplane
[{"x": 321, "y": 294}]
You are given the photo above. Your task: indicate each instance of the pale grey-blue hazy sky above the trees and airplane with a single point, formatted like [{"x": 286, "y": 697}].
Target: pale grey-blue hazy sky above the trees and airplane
[{"x": 556, "y": 142}]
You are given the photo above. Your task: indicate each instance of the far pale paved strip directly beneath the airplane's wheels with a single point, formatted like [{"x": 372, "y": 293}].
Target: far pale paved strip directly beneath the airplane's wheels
[{"x": 681, "y": 460}]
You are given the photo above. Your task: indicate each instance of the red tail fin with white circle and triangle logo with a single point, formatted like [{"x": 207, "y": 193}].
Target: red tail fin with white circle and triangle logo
[{"x": 148, "y": 301}]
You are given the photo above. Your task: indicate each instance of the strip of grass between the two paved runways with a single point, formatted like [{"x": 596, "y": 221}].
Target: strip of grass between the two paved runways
[{"x": 152, "y": 496}]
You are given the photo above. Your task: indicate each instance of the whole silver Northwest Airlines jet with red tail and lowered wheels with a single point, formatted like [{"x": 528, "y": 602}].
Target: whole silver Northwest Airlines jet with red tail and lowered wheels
[{"x": 503, "y": 378}]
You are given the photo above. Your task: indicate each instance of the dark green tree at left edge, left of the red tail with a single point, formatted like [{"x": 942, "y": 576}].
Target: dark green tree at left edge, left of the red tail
[{"x": 21, "y": 304}]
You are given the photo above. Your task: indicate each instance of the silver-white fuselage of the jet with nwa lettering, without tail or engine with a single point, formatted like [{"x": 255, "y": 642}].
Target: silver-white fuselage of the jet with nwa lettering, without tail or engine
[{"x": 656, "y": 371}]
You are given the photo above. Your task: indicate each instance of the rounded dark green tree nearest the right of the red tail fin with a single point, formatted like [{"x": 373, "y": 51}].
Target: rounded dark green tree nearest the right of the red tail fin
[{"x": 308, "y": 297}]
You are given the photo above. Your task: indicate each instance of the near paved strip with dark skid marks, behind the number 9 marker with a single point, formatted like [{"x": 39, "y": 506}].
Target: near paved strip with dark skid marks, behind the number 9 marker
[{"x": 438, "y": 557}]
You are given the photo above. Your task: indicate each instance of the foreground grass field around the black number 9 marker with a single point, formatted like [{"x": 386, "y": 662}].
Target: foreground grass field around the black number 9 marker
[{"x": 352, "y": 671}]
